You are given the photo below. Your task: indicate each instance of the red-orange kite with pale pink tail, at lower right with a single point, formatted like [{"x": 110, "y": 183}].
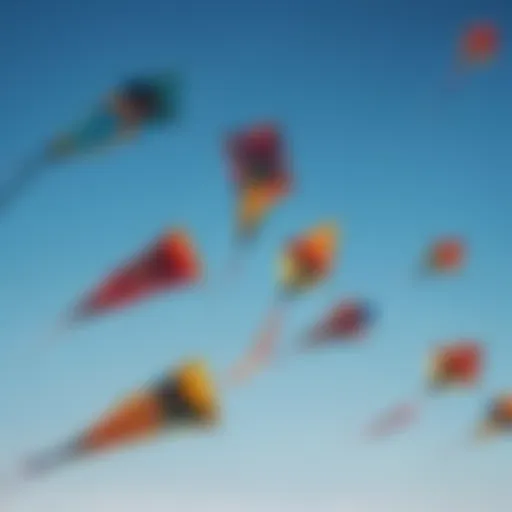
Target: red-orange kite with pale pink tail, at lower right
[{"x": 455, "y": 365}]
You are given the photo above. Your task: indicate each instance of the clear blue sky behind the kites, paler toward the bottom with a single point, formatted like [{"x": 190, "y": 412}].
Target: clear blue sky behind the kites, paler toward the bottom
[{"x": 379, "y": 141}]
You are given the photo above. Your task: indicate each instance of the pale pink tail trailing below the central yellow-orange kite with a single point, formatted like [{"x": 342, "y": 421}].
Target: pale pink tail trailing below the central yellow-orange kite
[{"x": 263, "y": 351}]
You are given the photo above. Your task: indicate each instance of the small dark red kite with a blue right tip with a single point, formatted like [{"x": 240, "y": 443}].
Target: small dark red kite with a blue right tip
[{"x": 348, "y": 321}]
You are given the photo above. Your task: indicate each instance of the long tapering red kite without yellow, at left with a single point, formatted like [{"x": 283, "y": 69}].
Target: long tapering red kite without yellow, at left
[{"x": 171, "y": 263}]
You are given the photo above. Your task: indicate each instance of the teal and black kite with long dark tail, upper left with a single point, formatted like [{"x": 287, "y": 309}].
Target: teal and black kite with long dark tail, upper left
[{"x": 138, "y": 104}]
